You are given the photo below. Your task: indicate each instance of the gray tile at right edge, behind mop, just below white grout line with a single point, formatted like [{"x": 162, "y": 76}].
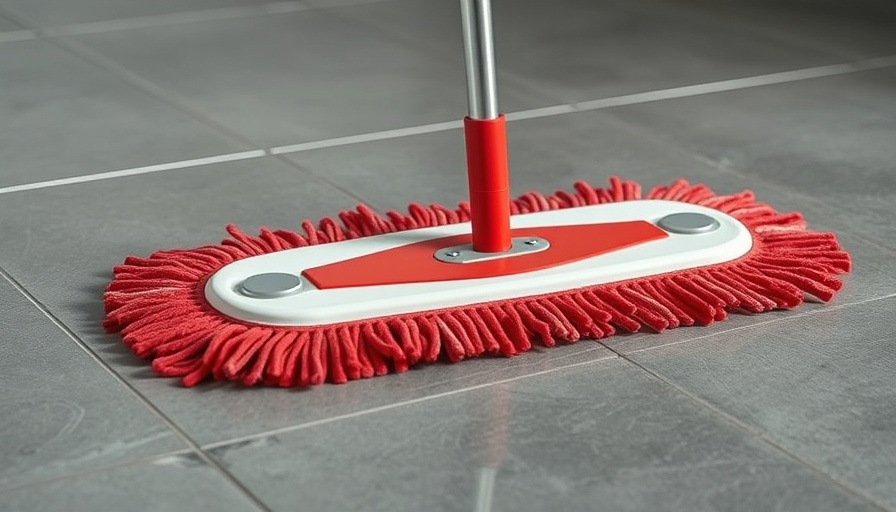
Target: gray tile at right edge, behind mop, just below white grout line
[{"x": 828, "y": 140}]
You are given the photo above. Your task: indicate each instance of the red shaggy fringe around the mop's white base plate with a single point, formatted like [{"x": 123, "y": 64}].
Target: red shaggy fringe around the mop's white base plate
[{"x": 158, "y": 306}]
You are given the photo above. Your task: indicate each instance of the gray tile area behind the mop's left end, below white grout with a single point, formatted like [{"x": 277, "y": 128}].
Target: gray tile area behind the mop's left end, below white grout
[{"x": 61, "y": 243}]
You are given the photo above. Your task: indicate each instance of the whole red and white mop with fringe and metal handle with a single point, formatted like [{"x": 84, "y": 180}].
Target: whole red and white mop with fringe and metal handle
[{"x": 368, "y": 294}]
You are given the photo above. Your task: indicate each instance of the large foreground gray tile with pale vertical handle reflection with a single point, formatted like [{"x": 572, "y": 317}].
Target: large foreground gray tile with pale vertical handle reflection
[{"x": 603, "y": 435}]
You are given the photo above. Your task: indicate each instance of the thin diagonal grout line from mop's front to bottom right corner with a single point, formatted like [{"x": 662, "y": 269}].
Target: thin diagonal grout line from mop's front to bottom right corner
[{"x": 755, "y": 432}]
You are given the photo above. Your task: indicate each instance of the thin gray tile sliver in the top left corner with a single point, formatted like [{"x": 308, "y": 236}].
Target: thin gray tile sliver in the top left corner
[{"x": 52, "y": 13}]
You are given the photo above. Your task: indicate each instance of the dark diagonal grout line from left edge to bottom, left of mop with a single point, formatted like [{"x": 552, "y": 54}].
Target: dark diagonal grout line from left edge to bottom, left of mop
[{"x": 172, "y": 426}]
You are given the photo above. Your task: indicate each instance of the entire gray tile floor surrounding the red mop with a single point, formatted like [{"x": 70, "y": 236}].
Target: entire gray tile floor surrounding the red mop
[{"x": 129, "y": 126}]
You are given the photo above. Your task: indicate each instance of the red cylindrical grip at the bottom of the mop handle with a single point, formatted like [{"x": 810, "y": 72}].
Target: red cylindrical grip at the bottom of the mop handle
[{"x": 489, "y": 183}]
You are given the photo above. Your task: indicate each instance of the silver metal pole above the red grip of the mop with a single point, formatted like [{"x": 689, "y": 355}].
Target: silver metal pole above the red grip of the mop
[{"x": 482, "y": 90}]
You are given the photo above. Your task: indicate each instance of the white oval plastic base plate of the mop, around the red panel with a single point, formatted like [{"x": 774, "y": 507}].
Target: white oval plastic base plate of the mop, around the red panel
[{"x": 312, "y": 306}]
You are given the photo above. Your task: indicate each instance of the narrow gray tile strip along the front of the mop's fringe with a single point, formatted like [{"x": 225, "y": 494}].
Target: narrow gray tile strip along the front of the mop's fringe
[{"x": 237, "y": 412}]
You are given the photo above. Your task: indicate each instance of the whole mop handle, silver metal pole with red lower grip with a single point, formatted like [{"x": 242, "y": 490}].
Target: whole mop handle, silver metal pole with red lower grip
[{"x": 485, "y": 134}]
